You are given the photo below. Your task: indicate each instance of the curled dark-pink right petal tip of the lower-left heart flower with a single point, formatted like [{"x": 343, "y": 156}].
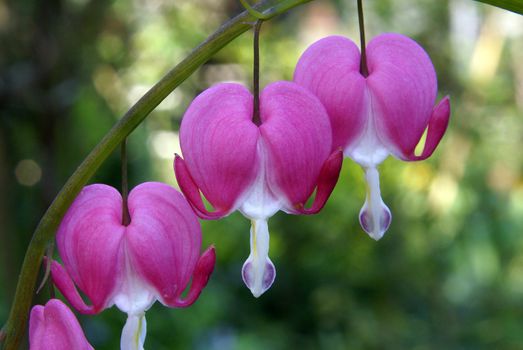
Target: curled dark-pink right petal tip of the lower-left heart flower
[{"x": 201, "y": 275}]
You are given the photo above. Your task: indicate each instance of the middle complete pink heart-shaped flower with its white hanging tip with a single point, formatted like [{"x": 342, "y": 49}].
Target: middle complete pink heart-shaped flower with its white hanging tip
[{"x": 258, "y": 170}]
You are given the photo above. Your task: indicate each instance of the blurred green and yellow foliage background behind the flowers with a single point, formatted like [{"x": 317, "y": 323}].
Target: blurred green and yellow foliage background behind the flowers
[{"x": 447, "y": 275}]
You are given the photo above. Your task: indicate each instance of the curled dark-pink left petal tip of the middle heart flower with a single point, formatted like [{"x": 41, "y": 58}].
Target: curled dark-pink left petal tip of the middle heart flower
[{"x": 192, "y": 192}]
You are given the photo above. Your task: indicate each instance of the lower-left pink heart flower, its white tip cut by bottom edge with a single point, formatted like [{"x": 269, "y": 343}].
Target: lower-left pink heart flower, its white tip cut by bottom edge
[{"x": 152, "y": 258}]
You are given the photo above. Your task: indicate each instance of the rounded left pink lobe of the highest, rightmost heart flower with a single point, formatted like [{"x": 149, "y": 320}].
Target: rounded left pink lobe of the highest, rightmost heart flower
[{"x": 329, "y": 69}]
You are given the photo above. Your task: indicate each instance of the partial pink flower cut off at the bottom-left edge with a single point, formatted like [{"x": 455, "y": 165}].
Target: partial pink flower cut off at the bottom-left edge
[{"x": 55, "y": 327}]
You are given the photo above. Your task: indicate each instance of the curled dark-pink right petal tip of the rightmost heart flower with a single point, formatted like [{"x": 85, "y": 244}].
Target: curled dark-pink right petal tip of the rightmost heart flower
[{"x": 438, "y": 122}]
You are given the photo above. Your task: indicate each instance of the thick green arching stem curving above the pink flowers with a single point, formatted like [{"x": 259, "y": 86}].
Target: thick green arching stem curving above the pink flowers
[{"x": 45, "y": 231}]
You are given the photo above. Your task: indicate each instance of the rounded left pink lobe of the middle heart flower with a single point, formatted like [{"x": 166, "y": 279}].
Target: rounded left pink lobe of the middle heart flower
[{"x": 218, "y": 141}]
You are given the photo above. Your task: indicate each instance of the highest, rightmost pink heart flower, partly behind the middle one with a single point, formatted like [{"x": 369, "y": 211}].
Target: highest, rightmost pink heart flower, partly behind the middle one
[{"x": 383, "y": 113}]
